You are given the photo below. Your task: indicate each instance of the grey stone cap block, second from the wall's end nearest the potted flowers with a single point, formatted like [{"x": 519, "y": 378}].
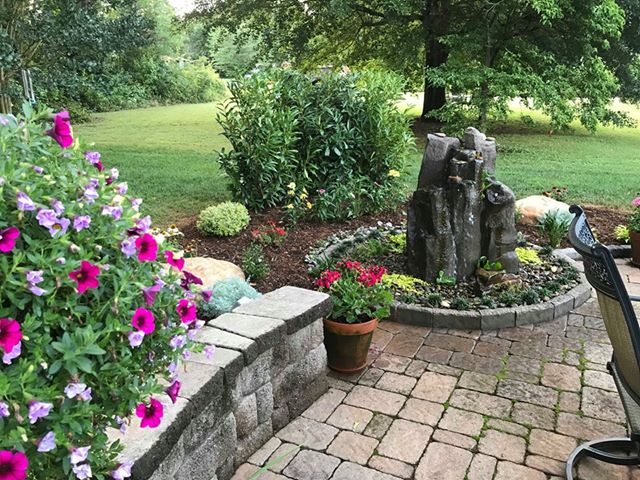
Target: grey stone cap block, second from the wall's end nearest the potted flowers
[{"x": 266, "y": 332}]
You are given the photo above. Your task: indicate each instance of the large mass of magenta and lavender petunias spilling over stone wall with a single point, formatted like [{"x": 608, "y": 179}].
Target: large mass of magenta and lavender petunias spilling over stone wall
[{"x": 93, "y": 322}]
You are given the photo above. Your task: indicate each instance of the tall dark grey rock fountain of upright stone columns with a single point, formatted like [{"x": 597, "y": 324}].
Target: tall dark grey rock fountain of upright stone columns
[{"x": 459, "y": 212}]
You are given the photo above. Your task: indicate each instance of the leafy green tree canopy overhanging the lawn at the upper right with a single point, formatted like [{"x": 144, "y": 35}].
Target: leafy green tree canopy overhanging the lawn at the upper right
[{"x": 567, "y": 57}]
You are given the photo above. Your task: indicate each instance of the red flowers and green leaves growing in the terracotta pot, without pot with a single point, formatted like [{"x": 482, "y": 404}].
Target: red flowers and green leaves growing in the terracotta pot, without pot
[{"x": 357, "y": 292}]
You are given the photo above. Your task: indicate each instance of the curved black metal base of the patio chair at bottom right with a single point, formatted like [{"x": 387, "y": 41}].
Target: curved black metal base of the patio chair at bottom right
[{"x": 619, "y": 451}]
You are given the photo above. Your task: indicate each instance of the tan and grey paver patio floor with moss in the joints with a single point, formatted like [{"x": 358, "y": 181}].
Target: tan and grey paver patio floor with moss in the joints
[{"x": 454, "y": 405}]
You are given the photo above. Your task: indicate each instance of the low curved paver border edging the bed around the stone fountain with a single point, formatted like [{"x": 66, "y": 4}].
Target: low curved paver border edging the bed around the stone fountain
[{"x": 495, "y": 318}]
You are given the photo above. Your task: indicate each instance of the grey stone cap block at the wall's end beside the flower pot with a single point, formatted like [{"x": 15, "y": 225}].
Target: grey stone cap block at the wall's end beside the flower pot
[{"x": 297, "y": 307}]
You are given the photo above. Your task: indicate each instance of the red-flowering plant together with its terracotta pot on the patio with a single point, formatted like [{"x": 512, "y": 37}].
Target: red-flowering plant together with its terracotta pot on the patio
[{"x": 359, "y": 301}]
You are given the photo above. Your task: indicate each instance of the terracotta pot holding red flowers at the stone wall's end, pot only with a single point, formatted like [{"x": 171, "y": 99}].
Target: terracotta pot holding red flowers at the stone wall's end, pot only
[{"x": 348, "y": 344}]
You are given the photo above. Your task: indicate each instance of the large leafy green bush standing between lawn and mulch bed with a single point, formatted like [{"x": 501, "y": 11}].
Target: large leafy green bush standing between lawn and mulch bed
[{"x": 339, "y": 138}]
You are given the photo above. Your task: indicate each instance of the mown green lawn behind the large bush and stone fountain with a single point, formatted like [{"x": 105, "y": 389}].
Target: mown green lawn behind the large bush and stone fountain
[{"x": 167, "y": 155}]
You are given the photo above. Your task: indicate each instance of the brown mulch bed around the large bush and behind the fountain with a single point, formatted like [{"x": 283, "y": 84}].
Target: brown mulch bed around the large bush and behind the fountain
[{"x": 287, "y": 265}]
